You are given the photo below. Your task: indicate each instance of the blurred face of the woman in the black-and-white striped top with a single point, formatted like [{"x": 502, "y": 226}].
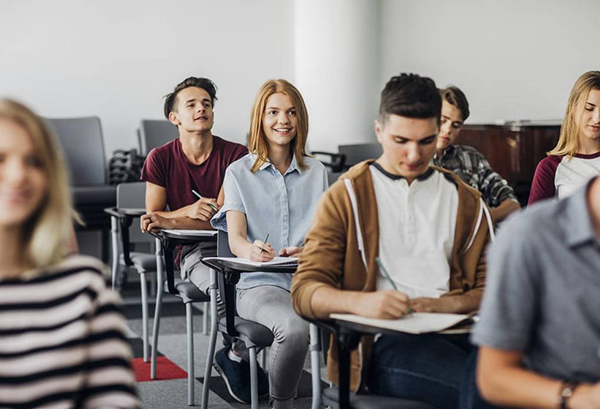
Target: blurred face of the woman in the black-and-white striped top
[{"x": 23, "y": 182}]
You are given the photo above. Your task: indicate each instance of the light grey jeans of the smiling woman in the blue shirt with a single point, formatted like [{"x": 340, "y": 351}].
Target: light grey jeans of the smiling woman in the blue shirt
[{"x": 272, "y": 307}]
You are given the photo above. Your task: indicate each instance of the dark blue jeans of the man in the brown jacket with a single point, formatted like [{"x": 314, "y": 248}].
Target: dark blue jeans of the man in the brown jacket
[{"x": 426, "y": 368}]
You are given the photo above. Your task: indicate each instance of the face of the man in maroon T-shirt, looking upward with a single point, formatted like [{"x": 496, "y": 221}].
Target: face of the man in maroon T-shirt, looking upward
[{"x": 193, "y": 111}]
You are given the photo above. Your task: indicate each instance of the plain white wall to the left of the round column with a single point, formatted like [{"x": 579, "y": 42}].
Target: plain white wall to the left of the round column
[{"x": 116, "y": 59}]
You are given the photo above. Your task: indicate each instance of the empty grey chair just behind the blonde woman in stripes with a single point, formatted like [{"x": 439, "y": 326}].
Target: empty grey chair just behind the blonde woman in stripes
[{"x": 83, "y": 146}]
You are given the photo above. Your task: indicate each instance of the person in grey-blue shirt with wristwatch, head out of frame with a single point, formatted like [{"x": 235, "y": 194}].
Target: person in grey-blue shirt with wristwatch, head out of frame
[{"x": 539, "y": 332}]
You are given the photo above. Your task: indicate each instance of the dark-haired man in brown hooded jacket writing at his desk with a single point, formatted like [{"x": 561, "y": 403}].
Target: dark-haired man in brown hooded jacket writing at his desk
[{"x": 429, "y": 229}]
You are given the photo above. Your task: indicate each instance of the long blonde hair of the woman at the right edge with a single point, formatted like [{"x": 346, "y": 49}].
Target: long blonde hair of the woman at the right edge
[{"x": 568, "y": 142}]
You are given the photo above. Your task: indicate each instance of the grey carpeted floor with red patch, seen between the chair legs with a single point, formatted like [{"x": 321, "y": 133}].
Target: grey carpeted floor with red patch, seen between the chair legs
[{"x": 169, "y": 390}]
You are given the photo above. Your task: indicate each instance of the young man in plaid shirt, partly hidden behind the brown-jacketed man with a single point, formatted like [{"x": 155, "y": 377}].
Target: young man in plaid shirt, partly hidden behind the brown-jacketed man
[{"x": 470, "y": 165}]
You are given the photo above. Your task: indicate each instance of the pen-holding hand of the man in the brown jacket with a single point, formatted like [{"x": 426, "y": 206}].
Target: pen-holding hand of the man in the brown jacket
[{"x": 389, "y": 304}]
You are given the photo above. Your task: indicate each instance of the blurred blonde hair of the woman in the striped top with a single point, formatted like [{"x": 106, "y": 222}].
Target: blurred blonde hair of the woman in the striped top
[{"x": 48, "y": 231}]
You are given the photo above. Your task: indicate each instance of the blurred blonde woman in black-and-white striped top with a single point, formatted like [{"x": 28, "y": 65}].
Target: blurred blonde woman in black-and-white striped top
[{"x": 62, "y": 336}]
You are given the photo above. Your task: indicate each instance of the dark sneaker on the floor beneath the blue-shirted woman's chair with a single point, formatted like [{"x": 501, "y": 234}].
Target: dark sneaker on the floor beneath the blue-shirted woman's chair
[{"x": 237, "y": 377}]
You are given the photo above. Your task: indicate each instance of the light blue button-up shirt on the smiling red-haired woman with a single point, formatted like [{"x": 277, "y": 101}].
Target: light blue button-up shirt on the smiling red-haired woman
[{"x": 281, "y": 206}]
